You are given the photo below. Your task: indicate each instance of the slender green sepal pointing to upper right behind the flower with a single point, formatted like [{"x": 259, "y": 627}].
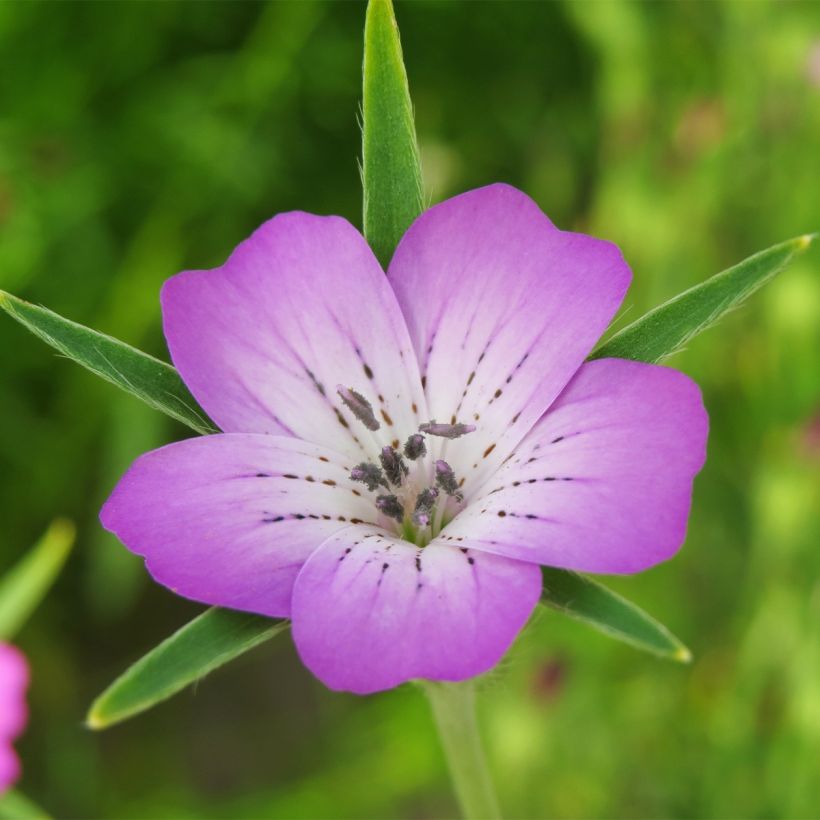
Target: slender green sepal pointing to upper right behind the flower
[{"x": 667, "y": 328}]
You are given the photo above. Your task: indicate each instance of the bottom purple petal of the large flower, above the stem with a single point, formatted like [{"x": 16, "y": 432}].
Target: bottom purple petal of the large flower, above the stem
[{"x": 371, "y": 611}]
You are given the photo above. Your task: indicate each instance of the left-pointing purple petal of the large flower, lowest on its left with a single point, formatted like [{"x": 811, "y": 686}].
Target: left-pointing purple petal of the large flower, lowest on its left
[{"x": 229, "y": 519}]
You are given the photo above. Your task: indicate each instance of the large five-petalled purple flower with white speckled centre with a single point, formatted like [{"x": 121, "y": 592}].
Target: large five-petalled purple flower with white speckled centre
[{"x": 401, "y": 452}]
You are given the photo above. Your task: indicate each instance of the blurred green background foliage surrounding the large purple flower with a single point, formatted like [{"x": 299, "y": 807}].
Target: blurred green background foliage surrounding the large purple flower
[{"x": 139, "y": 139}]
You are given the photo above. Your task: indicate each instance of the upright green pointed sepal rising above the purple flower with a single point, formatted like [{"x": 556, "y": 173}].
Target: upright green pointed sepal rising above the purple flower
[{"x": 391, "y": 170}]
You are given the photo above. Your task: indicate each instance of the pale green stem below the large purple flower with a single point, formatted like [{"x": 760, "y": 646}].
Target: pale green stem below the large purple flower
[{"x": 453, "y": 707}]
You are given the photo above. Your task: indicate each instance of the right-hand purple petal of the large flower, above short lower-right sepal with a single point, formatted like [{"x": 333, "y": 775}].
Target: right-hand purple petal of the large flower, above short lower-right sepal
[{"x": 604, "y": 481}]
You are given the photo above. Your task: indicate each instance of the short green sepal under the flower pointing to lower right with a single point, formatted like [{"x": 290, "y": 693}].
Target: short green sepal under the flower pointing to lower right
[{"x": 586, "y": 600}]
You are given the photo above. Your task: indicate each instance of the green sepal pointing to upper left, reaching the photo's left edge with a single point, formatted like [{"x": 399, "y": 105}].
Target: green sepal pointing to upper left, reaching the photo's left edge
[{"x": 155, "y": 382}]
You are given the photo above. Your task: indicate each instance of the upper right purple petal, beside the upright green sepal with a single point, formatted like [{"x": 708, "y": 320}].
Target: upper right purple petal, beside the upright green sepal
[{"x": 502, "y": 309}]
